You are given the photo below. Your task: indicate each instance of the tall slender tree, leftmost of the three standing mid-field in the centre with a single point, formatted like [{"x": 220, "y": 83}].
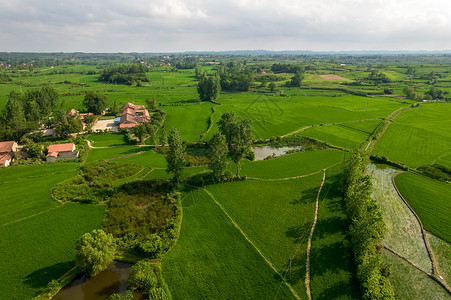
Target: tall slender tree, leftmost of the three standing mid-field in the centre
[{"x": 176, "y": 156}]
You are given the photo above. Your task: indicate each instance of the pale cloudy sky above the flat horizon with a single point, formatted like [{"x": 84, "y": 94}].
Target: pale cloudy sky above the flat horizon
[{"x": 215, "y": 25}]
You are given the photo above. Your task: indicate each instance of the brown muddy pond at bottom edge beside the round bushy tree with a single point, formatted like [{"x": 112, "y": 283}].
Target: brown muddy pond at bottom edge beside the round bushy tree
[{"x": 112, "y": 280}]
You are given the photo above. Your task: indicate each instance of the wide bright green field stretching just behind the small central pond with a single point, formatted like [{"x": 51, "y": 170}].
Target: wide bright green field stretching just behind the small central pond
[{"x": 276, "y": 116}]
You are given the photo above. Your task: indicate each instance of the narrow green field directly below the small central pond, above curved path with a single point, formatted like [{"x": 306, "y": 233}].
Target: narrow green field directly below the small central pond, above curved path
[{"x": 291, "y": 165}]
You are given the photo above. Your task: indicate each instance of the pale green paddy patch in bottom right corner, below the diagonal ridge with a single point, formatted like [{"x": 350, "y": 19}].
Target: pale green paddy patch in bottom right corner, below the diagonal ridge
[{"x": 410, "y": 283}]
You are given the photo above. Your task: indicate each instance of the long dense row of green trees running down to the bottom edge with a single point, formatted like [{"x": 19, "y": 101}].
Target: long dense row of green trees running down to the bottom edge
[{"x": 367, "y": 229}]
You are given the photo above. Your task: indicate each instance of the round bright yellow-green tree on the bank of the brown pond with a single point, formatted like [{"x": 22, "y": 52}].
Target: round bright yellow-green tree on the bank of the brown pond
[{"x": 95, "y": 251}]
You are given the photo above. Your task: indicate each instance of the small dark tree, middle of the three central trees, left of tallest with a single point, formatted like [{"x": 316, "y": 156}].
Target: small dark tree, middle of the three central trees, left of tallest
[{"x": 217, "y": 154}]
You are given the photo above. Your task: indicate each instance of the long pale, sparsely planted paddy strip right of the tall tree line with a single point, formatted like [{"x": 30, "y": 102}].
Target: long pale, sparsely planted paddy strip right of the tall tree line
[{"x": 403, "y": 233}]
